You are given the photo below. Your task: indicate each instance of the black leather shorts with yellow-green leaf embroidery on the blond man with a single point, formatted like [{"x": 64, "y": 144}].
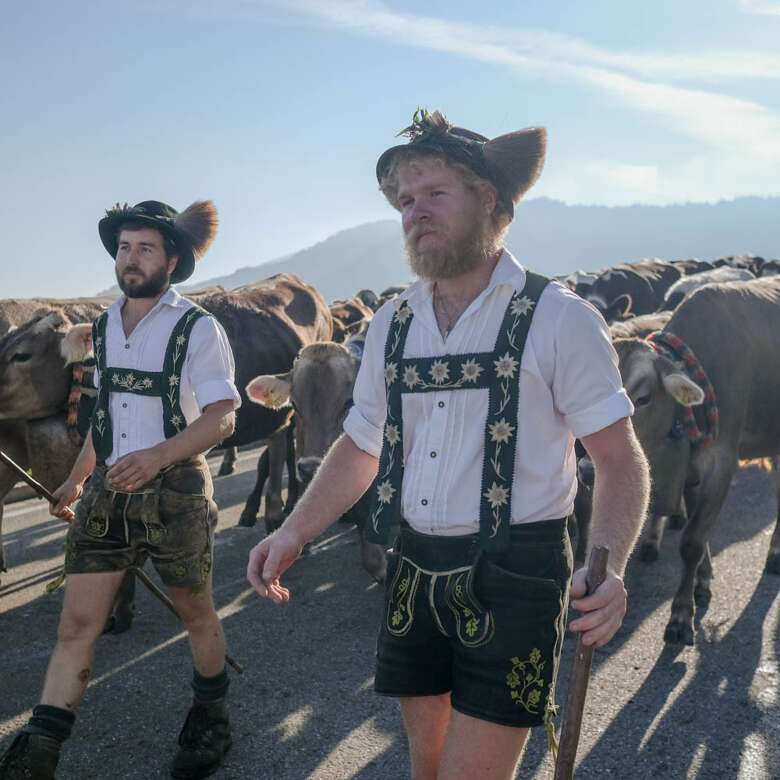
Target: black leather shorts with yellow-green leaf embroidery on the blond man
[{"x": 486, "y": 627}]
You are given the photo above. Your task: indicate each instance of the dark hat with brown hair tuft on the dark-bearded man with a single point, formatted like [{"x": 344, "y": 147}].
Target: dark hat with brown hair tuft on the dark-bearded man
[{"x": 191, "y": 230}]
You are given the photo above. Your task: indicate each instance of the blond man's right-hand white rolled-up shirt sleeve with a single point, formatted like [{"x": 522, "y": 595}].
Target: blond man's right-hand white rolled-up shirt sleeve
[{"x": 587, "y": 386}]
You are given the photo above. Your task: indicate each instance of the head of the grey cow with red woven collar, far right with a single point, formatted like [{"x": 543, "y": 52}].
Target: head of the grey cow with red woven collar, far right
[{"x": 659, "y": 391}]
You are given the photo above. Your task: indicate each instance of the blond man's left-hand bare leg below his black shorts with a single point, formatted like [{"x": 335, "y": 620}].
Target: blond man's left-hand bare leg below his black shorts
[{"x": 426, "y": 719}]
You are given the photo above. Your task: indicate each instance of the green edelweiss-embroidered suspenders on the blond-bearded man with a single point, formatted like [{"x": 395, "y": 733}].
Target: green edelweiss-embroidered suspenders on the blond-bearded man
[{"x": 497, "y": 372}]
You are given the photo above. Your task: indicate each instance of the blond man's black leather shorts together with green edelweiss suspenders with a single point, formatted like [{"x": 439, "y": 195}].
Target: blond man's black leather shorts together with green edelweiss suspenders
[{"x": 489, "y": 625}]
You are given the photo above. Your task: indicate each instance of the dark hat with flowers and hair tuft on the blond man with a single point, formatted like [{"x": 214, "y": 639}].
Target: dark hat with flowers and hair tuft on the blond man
[{"x": 511, "y": 162}]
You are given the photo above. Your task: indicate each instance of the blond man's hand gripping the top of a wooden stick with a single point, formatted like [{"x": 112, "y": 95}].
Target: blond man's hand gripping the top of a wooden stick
[{"x": 604, "y": 609}]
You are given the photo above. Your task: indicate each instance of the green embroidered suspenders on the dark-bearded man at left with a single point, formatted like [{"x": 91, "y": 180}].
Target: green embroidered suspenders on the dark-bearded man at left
[{"x": 160, "y": 384}]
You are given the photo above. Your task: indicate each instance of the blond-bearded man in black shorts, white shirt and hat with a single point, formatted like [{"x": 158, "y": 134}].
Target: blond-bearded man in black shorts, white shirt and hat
[{"x": 473, "y": 385}]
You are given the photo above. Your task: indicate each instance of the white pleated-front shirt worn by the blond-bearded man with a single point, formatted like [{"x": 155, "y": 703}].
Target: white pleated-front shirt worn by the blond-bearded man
[{"x": 570, "y": 387}]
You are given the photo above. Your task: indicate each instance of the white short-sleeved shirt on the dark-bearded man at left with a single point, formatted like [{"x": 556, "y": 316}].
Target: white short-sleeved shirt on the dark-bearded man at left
[{"x": 207, "y": 375}]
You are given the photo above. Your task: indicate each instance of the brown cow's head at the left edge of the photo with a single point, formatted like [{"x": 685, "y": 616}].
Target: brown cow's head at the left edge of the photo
[{"x": 34, "y": 379}]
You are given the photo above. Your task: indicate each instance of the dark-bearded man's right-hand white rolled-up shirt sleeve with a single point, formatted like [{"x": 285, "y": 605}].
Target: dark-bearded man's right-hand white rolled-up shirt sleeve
[{"x": 210, "y": 364}]
